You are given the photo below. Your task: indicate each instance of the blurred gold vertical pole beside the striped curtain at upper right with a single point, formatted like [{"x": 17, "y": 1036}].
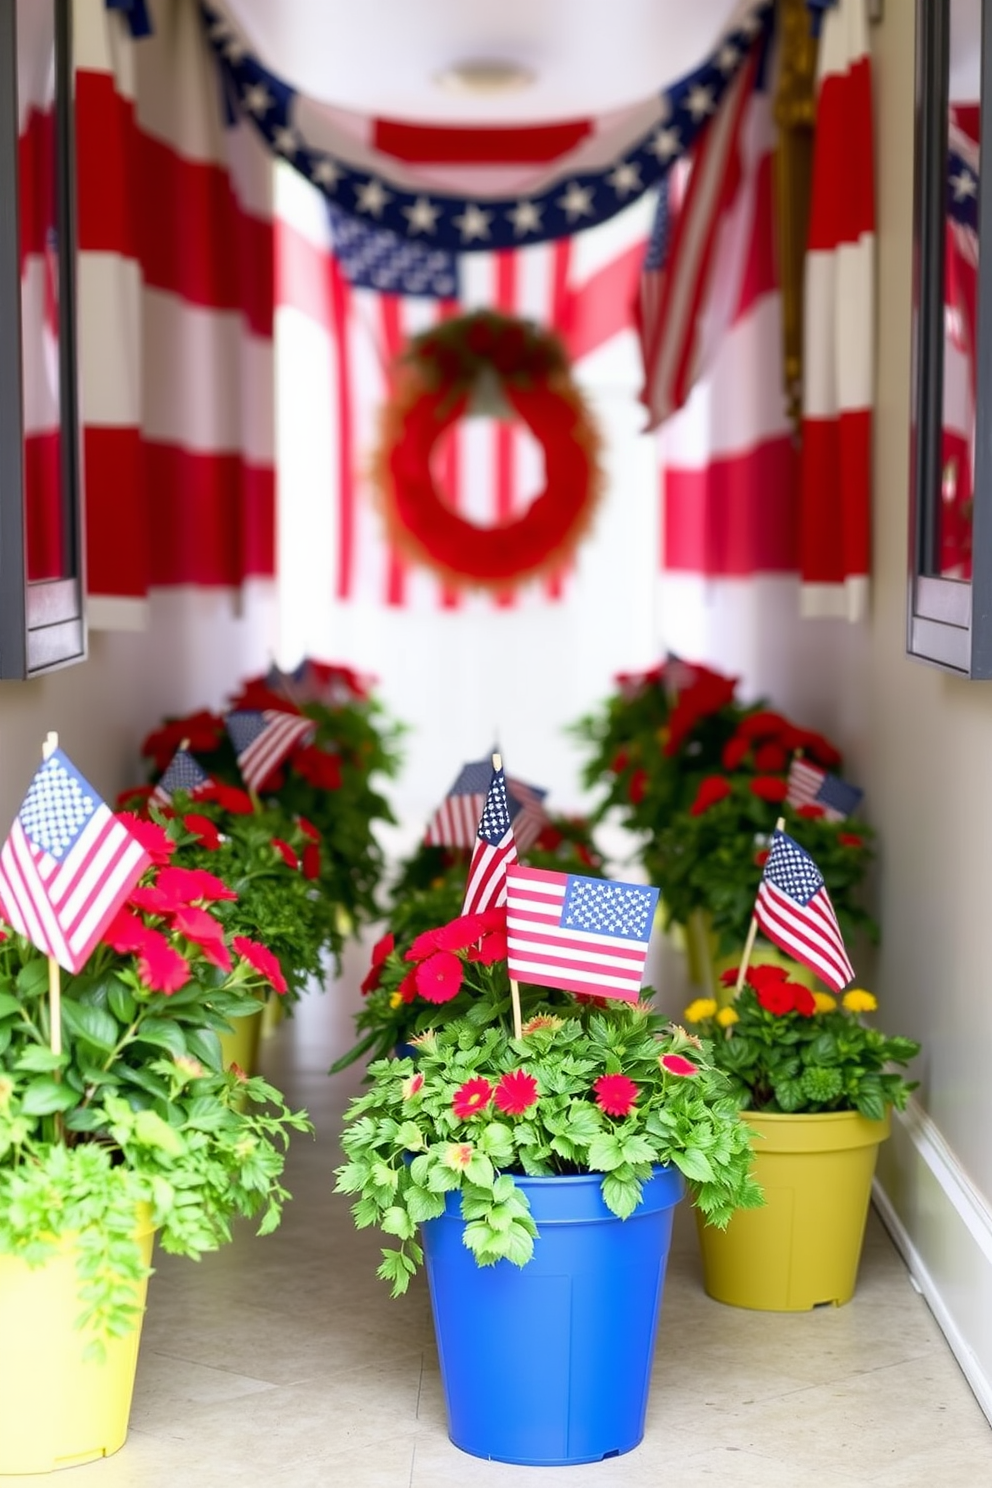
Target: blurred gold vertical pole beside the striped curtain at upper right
[{"x": 796, "y": 117}]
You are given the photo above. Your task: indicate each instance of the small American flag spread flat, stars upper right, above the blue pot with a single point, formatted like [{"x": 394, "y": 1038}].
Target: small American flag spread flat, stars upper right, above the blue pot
[{"x": 585, "y": 935}]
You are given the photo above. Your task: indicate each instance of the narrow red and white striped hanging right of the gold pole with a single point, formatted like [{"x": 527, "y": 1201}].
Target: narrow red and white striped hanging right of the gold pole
[{"x": 840, "y": 327}]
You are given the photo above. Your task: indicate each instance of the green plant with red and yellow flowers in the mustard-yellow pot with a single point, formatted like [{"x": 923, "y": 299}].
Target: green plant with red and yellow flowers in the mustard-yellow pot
[{"x": 789, "y": 1050}]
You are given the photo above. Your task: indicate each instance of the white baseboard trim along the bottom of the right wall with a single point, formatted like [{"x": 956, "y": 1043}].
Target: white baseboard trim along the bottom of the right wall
[{"x": 944, "y": 1230}]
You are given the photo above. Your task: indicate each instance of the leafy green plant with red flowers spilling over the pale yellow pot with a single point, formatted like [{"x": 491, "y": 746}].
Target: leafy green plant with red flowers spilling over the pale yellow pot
[{"x": 136, "y": 1114}]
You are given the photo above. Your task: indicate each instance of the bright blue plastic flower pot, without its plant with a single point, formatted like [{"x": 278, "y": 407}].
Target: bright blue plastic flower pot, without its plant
[{"x": 550, "y": 1364}]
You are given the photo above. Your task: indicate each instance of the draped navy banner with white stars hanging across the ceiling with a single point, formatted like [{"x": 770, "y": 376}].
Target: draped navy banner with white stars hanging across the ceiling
[{"x": 381, "y": 193}]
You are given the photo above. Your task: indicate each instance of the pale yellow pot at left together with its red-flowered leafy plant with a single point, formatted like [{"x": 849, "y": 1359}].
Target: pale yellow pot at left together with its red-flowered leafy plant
[{"x": 120, "y": 1124}]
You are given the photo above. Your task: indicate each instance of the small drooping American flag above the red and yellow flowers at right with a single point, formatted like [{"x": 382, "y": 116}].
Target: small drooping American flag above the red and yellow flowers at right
[{"x": 795, "y": 911}]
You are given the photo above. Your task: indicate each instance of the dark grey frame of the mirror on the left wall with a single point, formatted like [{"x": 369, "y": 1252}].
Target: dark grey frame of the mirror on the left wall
[{"x": 42, "y": 624}]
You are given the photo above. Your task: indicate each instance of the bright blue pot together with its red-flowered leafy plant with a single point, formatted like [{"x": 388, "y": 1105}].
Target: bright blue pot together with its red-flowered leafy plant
[{"x": 538, "y": 1178}]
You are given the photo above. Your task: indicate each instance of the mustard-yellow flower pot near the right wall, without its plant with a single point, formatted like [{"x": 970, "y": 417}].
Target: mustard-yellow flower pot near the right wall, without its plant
[{"x": 802, "y": 1249}]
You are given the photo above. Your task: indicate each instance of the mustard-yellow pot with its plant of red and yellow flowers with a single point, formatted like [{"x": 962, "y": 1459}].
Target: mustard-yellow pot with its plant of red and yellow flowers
[{"x": 816, "y": 1085}]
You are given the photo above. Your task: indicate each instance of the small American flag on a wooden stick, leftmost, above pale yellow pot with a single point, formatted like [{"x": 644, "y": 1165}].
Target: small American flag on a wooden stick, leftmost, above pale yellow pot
[{"x": 68, "y": 865}]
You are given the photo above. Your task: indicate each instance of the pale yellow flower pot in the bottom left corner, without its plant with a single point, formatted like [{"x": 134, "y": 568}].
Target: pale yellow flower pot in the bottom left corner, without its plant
[{"x": 59, "y": 1410}]
